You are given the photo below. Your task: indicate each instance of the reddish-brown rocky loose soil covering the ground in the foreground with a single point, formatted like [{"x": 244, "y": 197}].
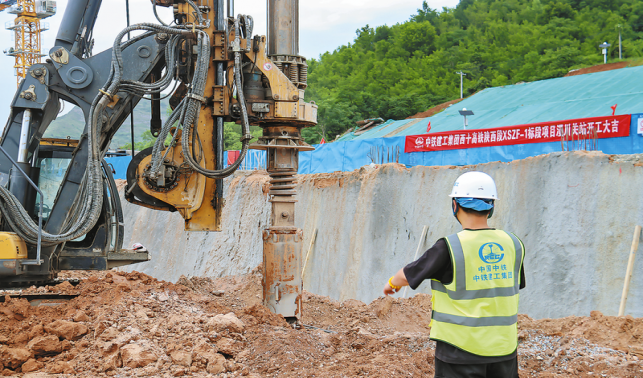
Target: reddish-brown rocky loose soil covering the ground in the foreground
[{"x": 132, "y": 325}]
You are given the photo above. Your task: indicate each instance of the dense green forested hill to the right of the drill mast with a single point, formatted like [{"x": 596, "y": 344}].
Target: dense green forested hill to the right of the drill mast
[{"x": 397, "y": 71}]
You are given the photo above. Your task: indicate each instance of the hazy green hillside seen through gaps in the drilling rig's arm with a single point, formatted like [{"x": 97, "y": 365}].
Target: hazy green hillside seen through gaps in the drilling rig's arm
[{"x": 73, "y": 123}]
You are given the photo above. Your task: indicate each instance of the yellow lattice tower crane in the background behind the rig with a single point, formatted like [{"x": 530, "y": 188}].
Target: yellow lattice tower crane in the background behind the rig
[{"x": 27, "y": 28}]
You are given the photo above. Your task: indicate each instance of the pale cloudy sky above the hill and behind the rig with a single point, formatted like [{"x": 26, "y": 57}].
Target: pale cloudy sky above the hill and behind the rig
[{"x": 324, "y": 25}]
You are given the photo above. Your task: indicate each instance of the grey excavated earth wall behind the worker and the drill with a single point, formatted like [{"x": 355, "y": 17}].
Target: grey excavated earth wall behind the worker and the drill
[{"x": 575, "y": 213}]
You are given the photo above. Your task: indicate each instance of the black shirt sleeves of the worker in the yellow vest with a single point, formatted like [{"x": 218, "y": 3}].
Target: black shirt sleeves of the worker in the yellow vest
[{"x": 436, "y": 264}]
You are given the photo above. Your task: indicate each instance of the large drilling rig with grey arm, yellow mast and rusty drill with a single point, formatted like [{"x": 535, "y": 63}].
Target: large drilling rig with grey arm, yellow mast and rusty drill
[{"x": 219, "y": 72}]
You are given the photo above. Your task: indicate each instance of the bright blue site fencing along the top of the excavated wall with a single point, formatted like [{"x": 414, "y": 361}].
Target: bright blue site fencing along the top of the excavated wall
[{"x": 351, "y": 155}]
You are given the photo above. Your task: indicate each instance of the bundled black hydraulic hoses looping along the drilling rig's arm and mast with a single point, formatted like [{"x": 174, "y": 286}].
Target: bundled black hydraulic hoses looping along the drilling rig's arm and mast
[{"x": 89, "y": 200}]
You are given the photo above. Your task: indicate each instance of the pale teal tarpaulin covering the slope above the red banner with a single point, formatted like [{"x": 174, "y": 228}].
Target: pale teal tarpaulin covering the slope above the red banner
[{"x": 581, "y": 96}]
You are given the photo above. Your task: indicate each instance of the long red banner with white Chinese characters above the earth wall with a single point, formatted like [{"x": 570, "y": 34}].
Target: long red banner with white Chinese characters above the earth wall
[{"x": 582, "y": 128}]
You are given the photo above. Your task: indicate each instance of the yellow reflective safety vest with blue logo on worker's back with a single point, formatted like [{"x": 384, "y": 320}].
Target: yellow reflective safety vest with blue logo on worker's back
[{"x": 478, "y": 311}]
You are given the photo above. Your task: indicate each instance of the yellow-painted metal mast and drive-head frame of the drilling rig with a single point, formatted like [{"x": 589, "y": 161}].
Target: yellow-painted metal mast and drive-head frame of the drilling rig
[{"x": 194, "y": 195}]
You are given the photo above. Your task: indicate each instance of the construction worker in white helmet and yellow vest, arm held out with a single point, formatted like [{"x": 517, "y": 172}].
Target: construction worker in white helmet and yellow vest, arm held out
[{"x": 475, "y": 302}]
